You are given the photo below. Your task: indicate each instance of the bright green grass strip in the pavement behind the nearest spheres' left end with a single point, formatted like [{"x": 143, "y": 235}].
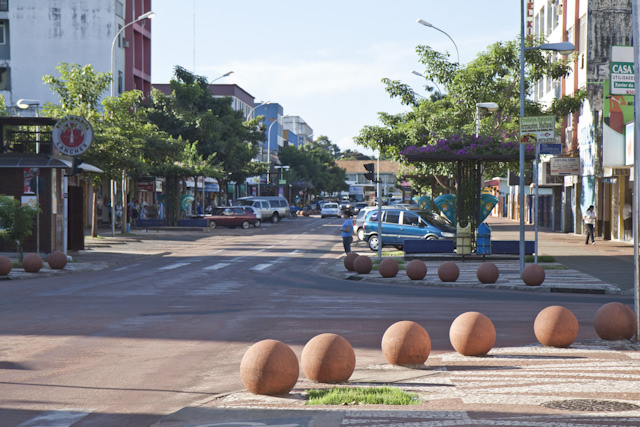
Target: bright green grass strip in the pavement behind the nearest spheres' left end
[{"x": 362, "y": 396}]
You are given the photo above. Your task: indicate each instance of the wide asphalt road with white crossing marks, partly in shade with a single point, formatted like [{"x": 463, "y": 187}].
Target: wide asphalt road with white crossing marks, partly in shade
[{"x": 160, "y": 331}]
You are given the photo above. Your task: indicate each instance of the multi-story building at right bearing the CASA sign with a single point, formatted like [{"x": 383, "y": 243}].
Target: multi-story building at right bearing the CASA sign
[{"x": 601, "y": 31}]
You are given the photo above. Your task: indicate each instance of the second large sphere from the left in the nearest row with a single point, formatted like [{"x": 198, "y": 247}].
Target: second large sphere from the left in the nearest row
[{"x": 328, "y": 358}]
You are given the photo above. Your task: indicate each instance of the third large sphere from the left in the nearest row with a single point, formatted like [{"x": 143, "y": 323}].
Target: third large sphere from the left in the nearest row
[{"x": 406, "y": 343}]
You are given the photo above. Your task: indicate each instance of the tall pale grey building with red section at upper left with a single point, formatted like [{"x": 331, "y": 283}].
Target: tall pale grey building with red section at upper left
[{"x": 37, "y": 35}]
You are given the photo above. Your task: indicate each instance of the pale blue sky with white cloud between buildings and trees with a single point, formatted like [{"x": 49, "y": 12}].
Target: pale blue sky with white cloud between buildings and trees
[{"x": 322, "y": 60}]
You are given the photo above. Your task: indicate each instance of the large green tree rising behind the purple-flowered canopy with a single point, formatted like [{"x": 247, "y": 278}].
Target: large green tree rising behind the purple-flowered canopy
[{"x": 492, "y": 76}]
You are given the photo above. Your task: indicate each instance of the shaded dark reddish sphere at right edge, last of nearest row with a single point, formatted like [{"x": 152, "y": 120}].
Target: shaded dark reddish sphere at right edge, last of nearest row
[{"x": 615, "y": 321}]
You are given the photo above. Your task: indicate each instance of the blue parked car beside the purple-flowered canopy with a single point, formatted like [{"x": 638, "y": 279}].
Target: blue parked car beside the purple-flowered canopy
[{"x": 401, "y": 224}]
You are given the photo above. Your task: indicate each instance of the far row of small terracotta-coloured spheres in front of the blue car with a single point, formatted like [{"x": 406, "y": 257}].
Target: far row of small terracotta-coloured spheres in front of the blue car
[{"x": 448, "y": 271}]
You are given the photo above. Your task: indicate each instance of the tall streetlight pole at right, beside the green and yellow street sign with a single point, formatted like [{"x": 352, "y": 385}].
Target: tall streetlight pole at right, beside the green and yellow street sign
[{"x": 564, "y": 48}]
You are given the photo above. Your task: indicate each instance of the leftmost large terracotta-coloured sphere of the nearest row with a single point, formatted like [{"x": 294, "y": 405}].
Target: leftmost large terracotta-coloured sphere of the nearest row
[{"x": 269, "y": 367}]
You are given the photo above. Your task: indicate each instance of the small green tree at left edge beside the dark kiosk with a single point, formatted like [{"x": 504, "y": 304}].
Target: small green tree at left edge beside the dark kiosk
[{"x": 16, "y": 222}]
